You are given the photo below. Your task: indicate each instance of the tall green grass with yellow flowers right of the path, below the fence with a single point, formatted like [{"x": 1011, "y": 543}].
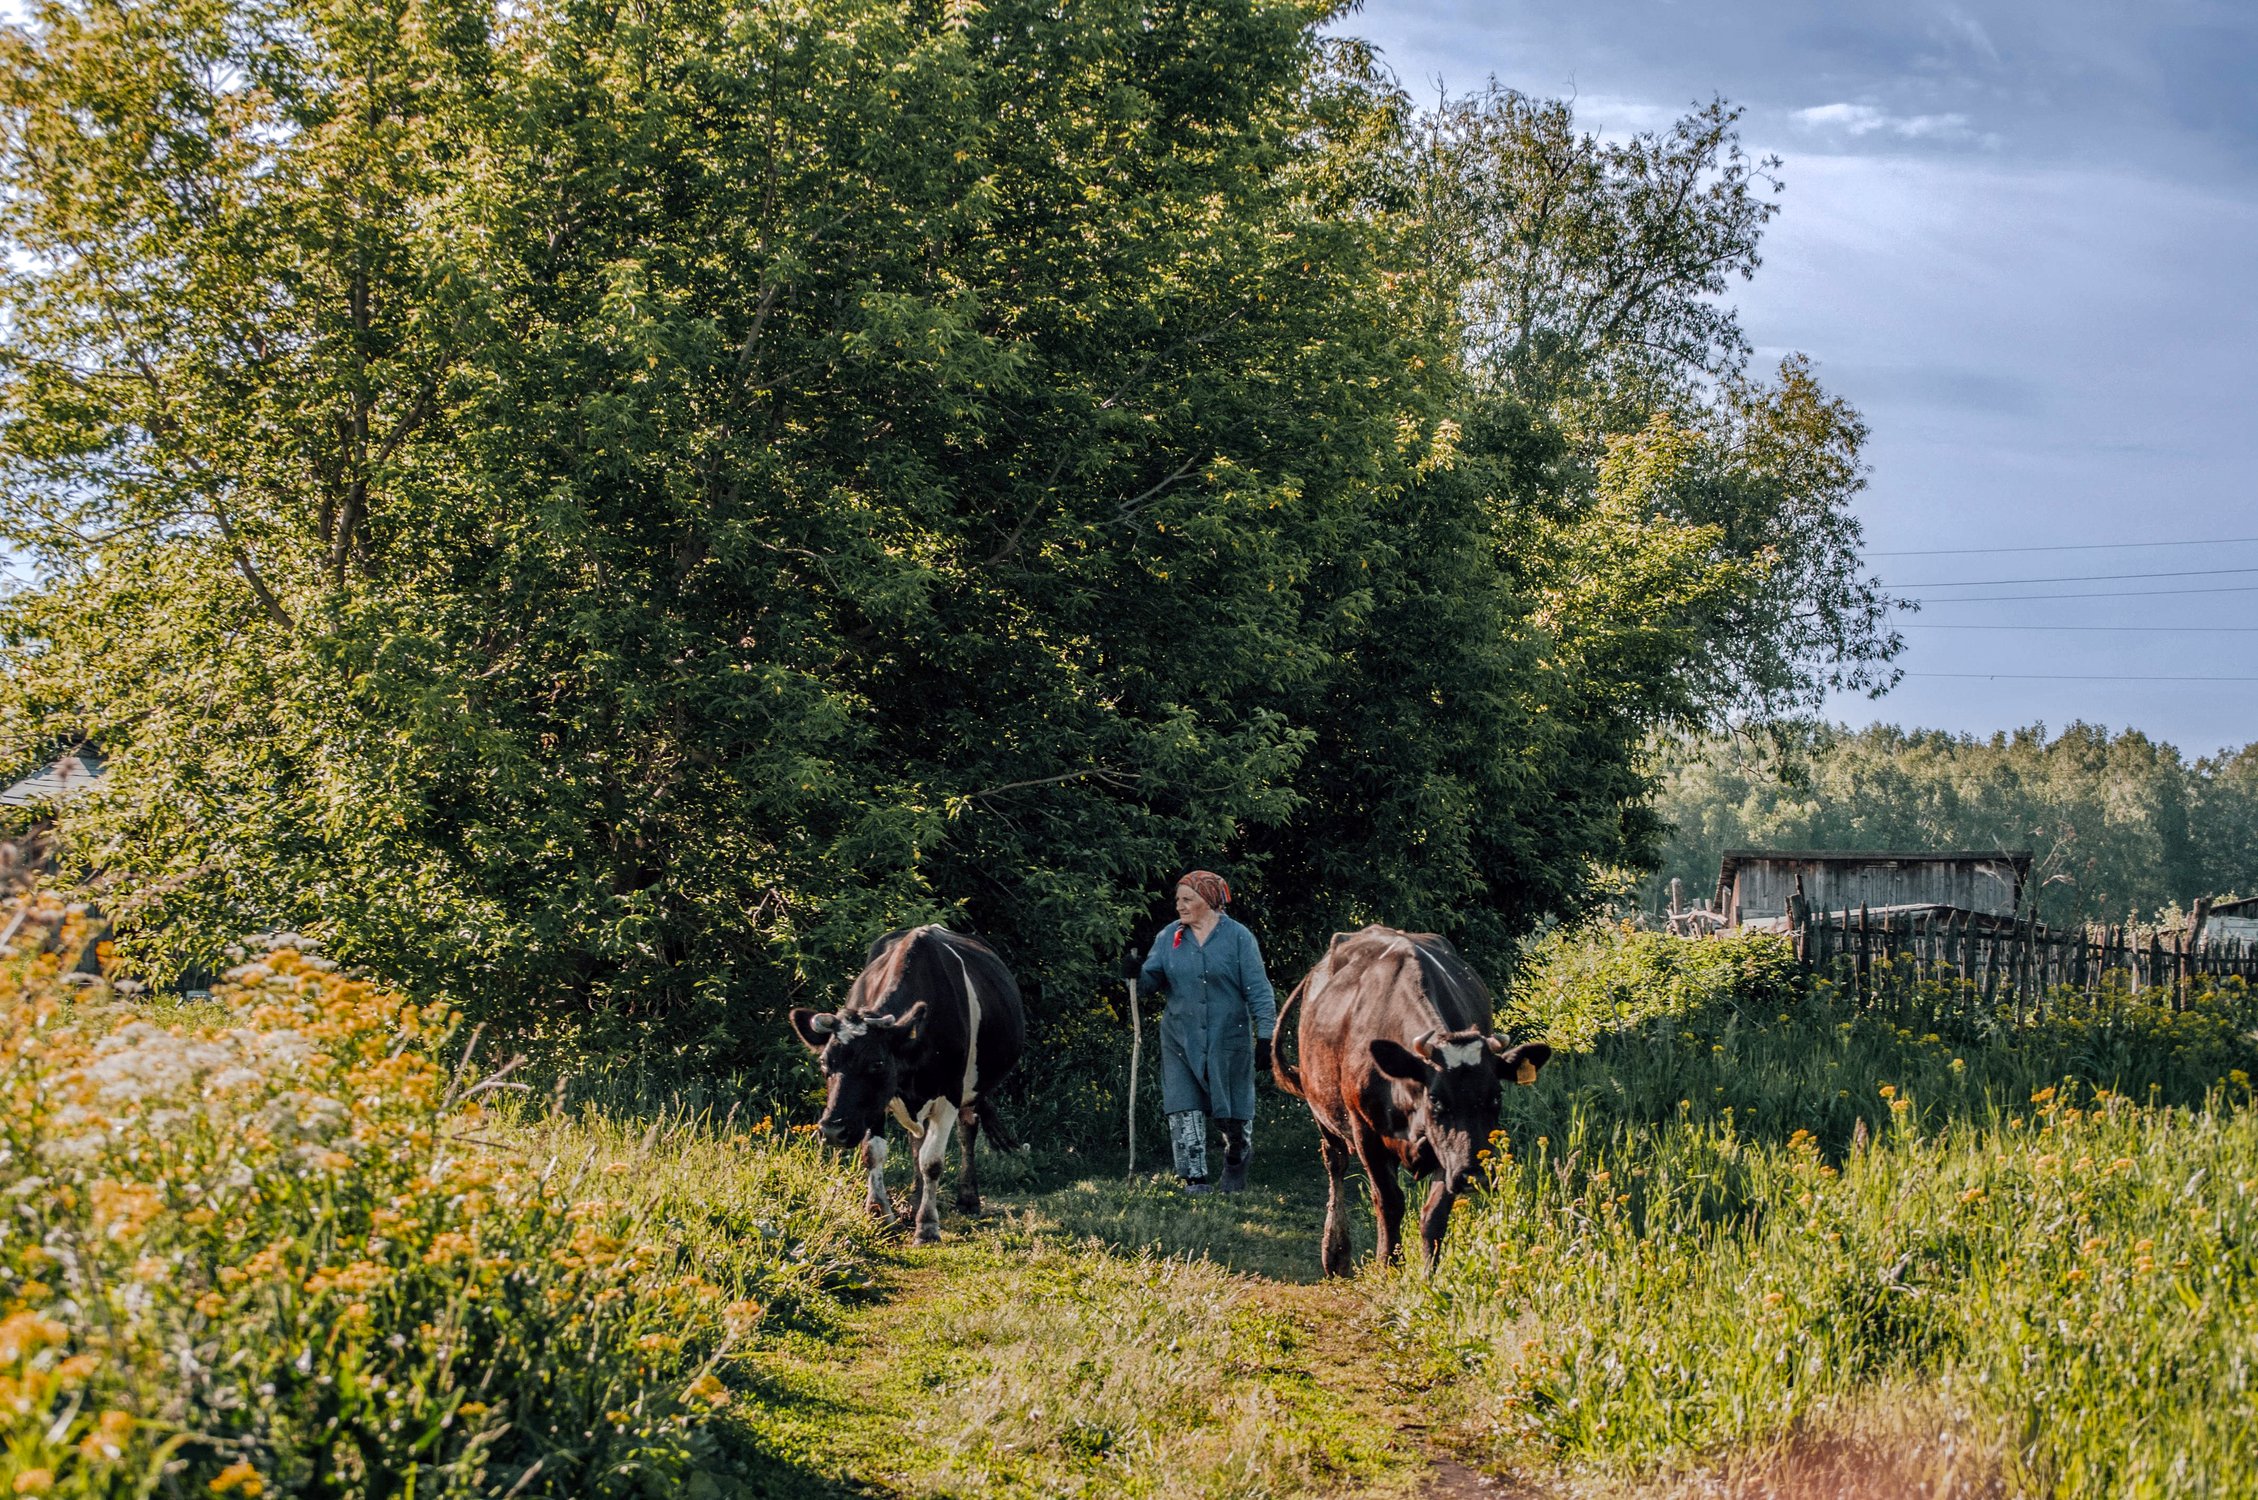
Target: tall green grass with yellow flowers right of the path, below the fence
[{"x": 1726, "y": 1230}]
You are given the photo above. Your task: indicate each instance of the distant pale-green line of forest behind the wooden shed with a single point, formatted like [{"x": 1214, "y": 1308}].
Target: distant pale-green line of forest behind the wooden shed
[{"x": 2121, "y": 826}]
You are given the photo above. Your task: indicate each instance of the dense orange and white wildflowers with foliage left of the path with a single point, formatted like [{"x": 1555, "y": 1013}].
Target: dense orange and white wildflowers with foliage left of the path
[{"x": 286, "y": 1250}]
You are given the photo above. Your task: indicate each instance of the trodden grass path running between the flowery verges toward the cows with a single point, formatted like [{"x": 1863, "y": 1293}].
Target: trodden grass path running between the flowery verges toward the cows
[{"x": 1096, "y": 1336}]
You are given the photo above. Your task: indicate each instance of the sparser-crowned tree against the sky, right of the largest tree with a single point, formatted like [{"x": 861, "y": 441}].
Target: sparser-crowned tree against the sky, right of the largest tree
[{"x": 1627, "y": 537}]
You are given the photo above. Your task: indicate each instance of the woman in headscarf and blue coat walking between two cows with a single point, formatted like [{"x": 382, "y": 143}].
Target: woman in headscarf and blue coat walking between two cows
[{"x": 1216, "y": 1029}]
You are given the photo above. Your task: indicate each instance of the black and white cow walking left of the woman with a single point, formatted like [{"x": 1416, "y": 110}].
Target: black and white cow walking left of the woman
[{"x": 927, "y": 1031}]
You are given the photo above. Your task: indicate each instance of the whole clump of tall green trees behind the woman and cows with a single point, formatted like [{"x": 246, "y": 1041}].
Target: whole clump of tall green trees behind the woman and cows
[{"x": 593, "y": 516}]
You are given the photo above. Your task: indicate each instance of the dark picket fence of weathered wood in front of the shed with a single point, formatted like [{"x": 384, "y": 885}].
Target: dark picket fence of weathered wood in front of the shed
[{"x": 2004, "y": 963}]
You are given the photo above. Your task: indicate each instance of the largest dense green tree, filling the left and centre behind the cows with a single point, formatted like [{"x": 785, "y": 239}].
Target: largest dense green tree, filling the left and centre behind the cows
[{"x": 597, "y": 514}]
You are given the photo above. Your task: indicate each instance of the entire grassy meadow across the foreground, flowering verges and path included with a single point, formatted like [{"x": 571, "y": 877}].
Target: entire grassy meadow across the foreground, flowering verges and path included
[{"x": 1744, "y": 1239}]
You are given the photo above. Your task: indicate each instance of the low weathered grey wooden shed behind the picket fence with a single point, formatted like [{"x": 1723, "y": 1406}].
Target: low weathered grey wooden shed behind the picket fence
[{"x": 1756, "y": 884}]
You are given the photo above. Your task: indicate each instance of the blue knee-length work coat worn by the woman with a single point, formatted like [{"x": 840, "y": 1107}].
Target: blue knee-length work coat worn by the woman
[{"x": 1218, "y": 1004}]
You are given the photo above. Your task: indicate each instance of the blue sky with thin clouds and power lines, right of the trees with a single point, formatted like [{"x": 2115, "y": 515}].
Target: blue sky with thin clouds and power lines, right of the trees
[{"x": 2022, "y": 238}]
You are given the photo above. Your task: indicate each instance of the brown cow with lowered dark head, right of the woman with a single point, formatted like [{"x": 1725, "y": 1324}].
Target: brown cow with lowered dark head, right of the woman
[{"x": 1401, "y": 1067}]
